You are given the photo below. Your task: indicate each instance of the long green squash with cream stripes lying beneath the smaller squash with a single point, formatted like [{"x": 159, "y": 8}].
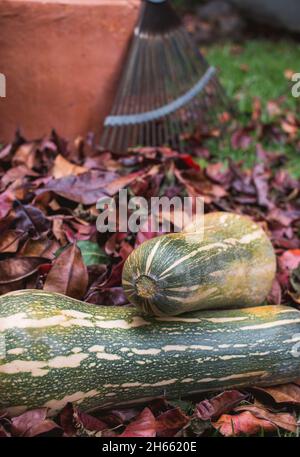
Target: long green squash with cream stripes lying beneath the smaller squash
[{"x": 58, "y": 350}]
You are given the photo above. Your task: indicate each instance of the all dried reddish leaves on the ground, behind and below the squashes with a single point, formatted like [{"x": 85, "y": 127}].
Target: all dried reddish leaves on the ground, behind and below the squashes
[{"x": 48, "y": 195}]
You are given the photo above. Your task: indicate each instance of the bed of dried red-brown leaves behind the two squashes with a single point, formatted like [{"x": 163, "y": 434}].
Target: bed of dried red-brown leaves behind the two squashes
[{"x": 48, "y": 213}]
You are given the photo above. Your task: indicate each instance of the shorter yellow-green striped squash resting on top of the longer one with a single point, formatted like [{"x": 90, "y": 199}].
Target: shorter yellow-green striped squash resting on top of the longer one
[{"x": 231, "y": 263}]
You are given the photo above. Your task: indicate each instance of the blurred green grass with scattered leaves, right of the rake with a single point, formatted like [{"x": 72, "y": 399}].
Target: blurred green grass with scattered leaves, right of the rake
[{"x": 266, "y": 63}]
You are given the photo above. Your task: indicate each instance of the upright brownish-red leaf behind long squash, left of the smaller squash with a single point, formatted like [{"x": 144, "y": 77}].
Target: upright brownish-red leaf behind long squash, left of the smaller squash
[{"x": 68, "y": 274}]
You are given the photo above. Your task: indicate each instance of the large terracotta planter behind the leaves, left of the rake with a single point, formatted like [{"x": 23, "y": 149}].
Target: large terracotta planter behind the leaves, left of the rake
[{"x": 61, "y": 60}]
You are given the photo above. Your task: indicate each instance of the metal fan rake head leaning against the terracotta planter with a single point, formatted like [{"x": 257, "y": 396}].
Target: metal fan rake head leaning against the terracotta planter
[{"x": 167, "y": 88}]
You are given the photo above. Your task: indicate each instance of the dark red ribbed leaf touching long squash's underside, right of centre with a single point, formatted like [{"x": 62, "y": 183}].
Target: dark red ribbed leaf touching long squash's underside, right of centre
[{"x": 216, "y": 406}]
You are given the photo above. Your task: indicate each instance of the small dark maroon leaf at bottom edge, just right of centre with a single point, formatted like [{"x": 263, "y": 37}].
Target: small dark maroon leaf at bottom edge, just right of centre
[{"x": 171, "y": 422}]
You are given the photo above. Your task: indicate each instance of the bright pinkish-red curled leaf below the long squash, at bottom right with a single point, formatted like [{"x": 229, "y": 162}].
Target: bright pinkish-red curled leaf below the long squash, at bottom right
[{"x": 244, "y": 423}]
